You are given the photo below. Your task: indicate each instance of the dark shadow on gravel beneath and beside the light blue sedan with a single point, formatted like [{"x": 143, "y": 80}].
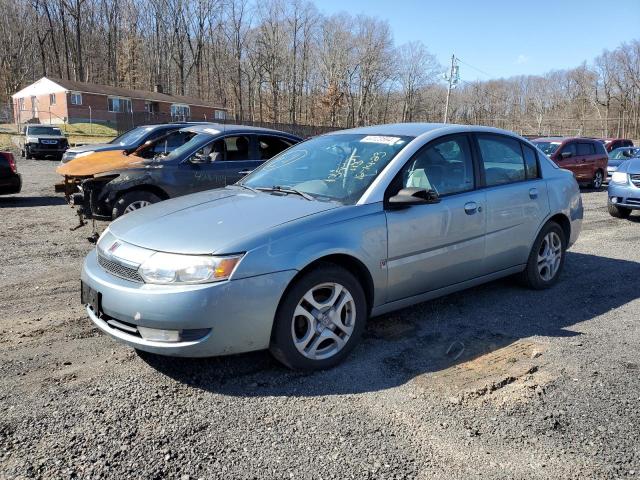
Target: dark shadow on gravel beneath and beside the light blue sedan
[{"x": 429, "y": 337}]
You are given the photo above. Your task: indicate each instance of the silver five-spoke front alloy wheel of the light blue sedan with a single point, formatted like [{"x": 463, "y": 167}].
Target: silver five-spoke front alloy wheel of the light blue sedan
[{"x": 323, "y": 321}]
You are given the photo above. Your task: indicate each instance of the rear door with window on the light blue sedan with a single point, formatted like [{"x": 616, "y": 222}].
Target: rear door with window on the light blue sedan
[{"x": 516, "y": 198}]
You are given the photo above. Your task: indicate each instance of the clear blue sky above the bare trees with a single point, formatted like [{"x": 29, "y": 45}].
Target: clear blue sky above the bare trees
[{"x": 505, "y": 38}]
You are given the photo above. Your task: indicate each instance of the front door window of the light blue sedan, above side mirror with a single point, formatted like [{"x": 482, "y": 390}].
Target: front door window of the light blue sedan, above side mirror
[{"x": 446, "y": 167}]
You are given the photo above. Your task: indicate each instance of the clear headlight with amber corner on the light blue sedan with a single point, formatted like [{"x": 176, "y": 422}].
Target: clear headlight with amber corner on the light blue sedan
[{"x": 168, "y": 268}]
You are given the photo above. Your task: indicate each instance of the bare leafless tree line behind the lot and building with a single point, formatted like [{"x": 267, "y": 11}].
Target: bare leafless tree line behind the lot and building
[{"x": 284, "y": 61}]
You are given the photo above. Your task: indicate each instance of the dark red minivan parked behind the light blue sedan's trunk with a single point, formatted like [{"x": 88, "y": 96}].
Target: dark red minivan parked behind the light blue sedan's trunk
[{"x": 585, "y": 157}]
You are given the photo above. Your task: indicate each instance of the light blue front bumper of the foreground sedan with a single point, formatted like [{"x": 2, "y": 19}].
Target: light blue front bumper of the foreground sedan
[{"x": 239, "y": 313}]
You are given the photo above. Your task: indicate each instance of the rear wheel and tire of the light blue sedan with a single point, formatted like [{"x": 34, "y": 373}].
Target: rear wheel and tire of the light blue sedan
[{"x": 539, "y": 276}]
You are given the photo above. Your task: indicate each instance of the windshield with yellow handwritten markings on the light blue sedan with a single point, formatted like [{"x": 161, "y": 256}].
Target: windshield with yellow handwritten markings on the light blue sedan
[{"x": 337, "y": 167}]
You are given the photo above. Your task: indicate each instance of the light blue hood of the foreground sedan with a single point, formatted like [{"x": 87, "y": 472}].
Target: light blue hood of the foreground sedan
[{"x": 211, "y": 221}]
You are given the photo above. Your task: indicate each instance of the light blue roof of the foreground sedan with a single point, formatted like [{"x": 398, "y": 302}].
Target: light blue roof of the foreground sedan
[{"x": 417, "y": 129}]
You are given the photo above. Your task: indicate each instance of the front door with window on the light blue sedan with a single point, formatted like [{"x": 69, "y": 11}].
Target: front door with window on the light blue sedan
[{"x": 436, "y": 245}]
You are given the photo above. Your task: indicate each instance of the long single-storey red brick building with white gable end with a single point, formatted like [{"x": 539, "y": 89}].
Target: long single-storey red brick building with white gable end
[{"x": 51, "y": 100}]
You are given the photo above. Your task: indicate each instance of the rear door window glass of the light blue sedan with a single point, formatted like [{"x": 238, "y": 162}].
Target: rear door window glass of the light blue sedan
[{"x": 502, "y": 159}]
